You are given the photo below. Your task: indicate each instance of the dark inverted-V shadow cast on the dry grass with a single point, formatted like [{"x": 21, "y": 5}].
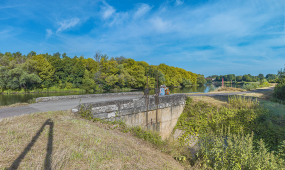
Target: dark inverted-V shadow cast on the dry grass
[{"x": 48, "y": 159}]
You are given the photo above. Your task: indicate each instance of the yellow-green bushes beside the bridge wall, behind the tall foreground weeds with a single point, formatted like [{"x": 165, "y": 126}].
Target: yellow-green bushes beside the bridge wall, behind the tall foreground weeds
[{"x": 241, "y": 114}]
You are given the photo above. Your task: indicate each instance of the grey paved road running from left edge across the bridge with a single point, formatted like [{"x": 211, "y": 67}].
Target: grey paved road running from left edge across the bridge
[{"x": 53, "y": 106}]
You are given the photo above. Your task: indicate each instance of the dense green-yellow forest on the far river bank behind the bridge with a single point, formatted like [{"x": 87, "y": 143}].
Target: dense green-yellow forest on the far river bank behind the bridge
[{"x": 38, "y": 71}]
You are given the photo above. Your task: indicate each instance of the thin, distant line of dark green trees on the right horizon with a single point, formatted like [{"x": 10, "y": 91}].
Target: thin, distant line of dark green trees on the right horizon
[{"x": 271, "y": 78}]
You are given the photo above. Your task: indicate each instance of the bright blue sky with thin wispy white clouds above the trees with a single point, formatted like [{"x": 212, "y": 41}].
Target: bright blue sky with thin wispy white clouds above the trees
[{"x": 206, "y": 37}]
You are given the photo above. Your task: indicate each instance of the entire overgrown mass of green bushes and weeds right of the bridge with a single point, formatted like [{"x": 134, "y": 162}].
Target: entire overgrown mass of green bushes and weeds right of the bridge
[{"x": 243, "y": 116}]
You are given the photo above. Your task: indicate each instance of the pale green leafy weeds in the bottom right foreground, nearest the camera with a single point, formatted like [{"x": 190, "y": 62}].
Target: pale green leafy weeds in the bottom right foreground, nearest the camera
[{"x": 236, "y": 151}]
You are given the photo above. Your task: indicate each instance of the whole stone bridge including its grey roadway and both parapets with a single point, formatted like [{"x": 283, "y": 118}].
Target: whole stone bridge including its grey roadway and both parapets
[{"x": 129, "y": 107}]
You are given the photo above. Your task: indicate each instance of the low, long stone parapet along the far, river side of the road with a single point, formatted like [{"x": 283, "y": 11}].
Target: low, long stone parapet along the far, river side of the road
[{"x": 55, "y": 98}]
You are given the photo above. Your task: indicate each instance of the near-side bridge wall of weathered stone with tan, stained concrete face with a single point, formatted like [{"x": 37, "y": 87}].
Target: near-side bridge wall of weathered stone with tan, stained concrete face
[{"x": 133, "y": 112}]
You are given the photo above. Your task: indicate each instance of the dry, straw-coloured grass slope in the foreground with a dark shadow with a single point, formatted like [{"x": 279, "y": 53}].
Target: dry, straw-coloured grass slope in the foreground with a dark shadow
[{"x": 76, "y": 144}]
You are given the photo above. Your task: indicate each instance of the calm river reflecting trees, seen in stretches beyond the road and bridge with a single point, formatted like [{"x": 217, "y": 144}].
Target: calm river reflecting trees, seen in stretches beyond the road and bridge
[{"x": 8, "y": 99}]
